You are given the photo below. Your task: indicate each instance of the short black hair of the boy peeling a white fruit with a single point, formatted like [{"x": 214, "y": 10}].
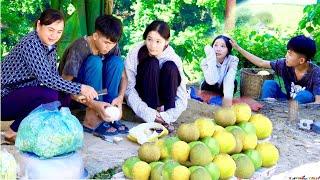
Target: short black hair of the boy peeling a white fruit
[{"x": 109, "y": 26}]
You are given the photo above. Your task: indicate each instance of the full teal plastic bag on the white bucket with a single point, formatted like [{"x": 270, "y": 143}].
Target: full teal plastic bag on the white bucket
[{"x": 48, "y": 131}]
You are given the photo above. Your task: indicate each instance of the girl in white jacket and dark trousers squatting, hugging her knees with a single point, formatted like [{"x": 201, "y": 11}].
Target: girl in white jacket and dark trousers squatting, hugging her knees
[{"x": 156, "y": 84}]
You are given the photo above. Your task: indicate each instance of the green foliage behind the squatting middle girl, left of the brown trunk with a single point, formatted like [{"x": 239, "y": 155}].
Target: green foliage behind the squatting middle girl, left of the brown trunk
[{"x": 192, "y": 22}]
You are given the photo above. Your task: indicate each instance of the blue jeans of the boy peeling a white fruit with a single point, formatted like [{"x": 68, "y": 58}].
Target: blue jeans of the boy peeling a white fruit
[{"x": 102, "y": 74}]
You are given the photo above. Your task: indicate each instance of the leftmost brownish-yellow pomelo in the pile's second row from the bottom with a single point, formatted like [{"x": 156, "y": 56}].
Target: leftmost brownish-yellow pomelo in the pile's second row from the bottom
[{"x": 149, "y": 152}]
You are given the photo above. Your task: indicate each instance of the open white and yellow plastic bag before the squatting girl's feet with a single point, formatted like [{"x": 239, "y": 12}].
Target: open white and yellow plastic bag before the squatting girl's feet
[{"x": 147, "y": 132}]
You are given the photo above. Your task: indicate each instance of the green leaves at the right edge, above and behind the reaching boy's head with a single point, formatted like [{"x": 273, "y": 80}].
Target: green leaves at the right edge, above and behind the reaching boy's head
[{"x": 310, "y": 24}]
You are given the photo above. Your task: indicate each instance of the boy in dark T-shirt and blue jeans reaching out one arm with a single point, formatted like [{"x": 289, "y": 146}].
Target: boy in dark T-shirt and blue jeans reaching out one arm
[{"x": 301, "y": 77}]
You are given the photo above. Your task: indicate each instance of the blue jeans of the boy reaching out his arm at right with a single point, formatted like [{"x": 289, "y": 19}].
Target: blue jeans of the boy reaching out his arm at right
[{"x": 271, "y": 89}]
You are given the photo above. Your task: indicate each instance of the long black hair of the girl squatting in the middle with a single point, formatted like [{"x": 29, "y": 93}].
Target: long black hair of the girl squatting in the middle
[{"x": 159, "y": 26}]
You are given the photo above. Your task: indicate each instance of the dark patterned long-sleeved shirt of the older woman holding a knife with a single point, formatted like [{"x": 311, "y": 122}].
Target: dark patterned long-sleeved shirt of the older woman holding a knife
[{"x": 31, "y": 63}]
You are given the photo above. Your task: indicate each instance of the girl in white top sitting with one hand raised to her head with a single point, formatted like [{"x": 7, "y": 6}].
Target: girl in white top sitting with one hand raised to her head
[{"x": 219, "y": 69}]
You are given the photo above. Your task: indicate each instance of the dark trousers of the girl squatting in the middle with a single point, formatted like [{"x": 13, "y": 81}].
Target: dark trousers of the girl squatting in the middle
[{"x": 157, "y": 86}]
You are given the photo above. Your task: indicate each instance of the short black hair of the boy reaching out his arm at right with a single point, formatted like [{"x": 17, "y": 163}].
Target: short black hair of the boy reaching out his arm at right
[{"x": 303, "y": 45}]
